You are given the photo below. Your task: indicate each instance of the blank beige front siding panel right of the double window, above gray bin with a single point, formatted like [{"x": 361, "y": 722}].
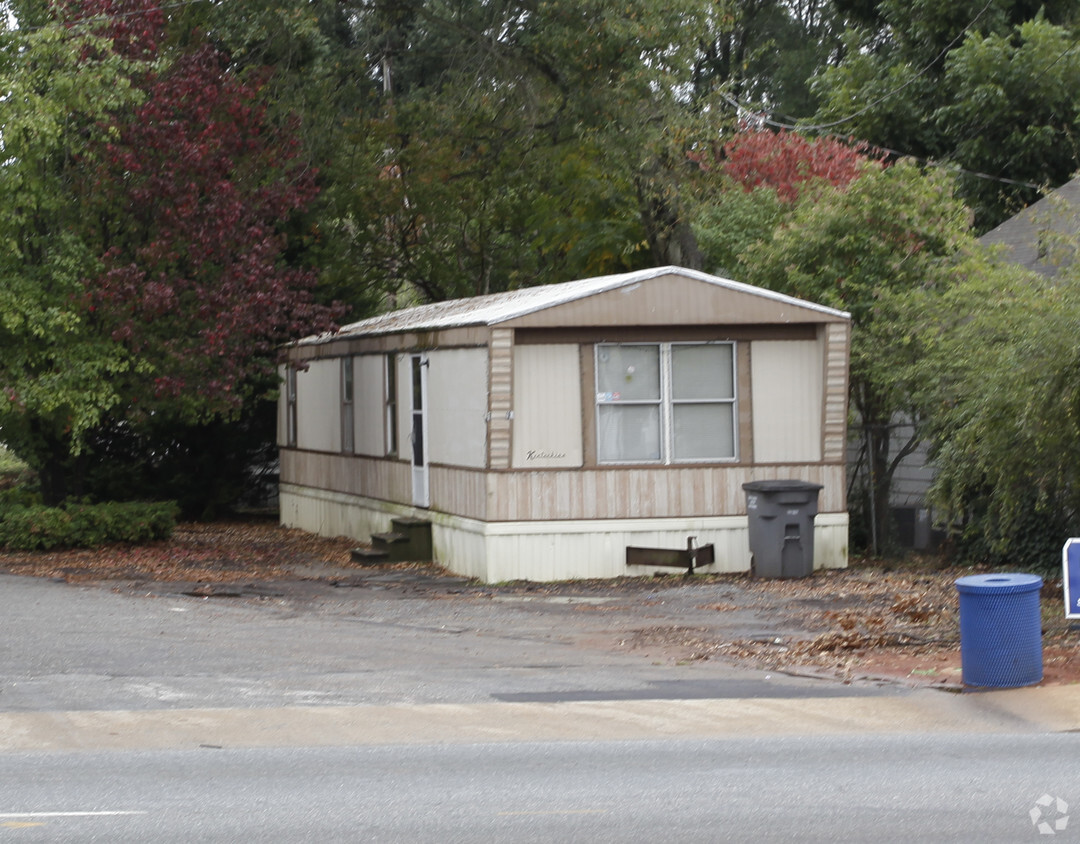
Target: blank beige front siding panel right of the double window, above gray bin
[{"x": 787, "y": 385}]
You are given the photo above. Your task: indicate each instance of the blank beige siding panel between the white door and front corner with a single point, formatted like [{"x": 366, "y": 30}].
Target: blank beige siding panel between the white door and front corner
[{"x": 457, "y": 408}]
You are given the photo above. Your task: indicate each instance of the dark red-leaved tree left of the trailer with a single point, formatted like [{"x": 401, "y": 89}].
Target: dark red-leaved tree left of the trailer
[{"x": 192, "y": 198}]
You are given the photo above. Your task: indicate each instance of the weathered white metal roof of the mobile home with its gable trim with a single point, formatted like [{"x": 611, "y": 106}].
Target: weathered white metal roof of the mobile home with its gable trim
[{"x": 499, "y": 307}]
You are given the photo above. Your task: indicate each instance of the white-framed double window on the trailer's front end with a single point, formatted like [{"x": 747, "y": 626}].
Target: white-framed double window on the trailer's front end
[{"x": 666, "y": 403}]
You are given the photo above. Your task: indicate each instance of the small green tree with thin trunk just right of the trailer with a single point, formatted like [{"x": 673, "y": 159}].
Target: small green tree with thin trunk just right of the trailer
[{"x": 894, "y": 234}]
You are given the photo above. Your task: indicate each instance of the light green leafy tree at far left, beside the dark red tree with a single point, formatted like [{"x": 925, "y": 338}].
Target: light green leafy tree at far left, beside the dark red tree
[{"x": 58, "y": 374}]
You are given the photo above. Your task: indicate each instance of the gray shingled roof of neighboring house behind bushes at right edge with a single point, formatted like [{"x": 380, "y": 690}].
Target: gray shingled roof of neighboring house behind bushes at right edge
[{"x": 1042, "y": 238}]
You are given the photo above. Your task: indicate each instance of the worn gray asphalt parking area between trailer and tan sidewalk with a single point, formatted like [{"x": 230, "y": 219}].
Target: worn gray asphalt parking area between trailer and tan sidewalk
[{"x": 100, "y": 648}]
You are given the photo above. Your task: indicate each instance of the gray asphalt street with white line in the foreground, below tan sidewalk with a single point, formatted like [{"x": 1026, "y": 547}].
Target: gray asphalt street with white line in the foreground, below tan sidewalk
[{"x": 809, "y": 789}]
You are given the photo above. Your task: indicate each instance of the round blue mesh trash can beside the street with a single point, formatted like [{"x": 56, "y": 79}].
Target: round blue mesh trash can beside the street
[{"x": 1001, "y": 631}]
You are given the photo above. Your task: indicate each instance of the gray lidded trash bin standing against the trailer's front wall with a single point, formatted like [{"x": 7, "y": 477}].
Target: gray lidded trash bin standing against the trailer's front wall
[{"x": 781, "y": 527}]
